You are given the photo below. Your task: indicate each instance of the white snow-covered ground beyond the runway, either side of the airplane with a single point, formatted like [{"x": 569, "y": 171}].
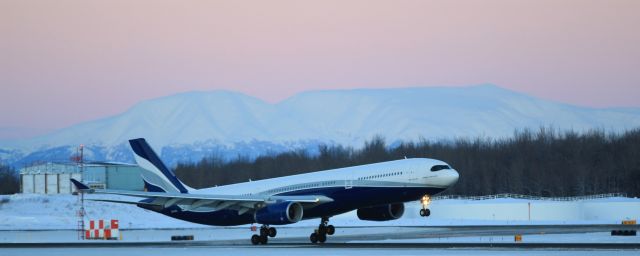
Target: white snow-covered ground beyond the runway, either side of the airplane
[{"x": 46, "y": 212}]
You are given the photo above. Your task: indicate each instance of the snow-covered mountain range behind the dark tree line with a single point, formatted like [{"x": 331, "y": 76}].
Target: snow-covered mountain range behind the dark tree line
[{"x": 188, "y": 126}]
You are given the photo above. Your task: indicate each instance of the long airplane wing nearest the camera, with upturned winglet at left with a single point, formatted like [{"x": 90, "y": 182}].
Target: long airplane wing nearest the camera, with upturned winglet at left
[{"x": 203, "y": 202}]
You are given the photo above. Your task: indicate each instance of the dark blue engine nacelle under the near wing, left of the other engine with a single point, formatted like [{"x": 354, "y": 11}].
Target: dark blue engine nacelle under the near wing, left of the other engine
[{"x": 279, "y": 213}]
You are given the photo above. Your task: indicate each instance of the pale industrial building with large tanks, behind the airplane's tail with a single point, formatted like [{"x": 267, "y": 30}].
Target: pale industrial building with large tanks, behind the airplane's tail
[{"x": 54, "y": 178}]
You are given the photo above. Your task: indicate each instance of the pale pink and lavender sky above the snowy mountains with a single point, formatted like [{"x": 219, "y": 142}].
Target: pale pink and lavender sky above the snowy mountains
[{"x": 64, "y": 62}]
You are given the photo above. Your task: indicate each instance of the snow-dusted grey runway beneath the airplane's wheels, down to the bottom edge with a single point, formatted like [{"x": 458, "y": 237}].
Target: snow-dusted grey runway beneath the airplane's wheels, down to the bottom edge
[{"x": 417, "y": 240}]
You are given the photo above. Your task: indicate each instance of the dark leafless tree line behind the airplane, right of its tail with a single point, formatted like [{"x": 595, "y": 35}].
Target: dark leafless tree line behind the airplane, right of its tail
[{"x": 545, "y": 162}]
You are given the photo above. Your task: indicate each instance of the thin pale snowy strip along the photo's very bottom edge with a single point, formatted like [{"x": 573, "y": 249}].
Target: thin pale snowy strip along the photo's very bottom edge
[{"x": 285, "y": 249}]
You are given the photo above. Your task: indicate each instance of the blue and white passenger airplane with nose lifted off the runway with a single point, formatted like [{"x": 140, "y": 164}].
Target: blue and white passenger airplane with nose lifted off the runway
[{"x": 376, "y": 191}]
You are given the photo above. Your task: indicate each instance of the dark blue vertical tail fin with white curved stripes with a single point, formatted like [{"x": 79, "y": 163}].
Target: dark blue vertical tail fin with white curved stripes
[{"x": 157, "y": 177}]
